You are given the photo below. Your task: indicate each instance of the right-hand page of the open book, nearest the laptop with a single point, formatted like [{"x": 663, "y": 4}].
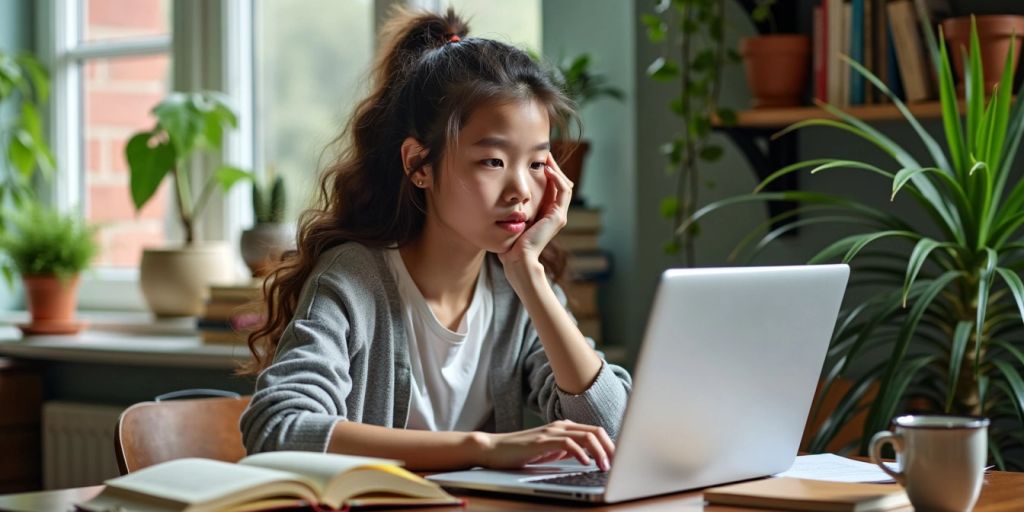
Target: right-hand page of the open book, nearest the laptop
[{"x": 319, "y": 468}]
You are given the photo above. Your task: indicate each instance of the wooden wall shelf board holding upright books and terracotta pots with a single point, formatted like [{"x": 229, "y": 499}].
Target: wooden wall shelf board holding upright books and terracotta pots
[{"x": 779, "y": 118}]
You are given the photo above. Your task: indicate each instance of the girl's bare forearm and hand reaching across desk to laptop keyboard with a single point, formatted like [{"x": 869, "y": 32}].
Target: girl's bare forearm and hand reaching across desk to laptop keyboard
[{"x": 422, "y": 450}]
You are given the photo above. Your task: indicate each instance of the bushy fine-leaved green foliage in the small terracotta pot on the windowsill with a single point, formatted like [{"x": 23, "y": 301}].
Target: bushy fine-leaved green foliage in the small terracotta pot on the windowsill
[{"x": 45, "y": 242}]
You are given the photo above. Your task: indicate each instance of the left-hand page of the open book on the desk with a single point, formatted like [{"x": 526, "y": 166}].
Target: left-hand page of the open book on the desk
[{"x": 193, "y": 482}]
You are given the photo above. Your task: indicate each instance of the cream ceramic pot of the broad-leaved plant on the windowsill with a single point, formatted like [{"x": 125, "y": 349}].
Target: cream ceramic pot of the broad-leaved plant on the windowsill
[{"x": 177, "y": 281}]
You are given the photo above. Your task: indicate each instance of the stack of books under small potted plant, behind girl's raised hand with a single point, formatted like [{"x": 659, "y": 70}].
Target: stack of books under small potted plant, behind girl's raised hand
[{"x": 587, "y": 267}]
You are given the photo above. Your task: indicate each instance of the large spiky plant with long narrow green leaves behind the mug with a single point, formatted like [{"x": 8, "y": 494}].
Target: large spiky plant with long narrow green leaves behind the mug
[{"x": 943, "y": 334}]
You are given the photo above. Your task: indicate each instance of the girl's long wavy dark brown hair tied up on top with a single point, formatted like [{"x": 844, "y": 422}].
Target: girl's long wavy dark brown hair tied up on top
[{"x": 428, "y": 79}]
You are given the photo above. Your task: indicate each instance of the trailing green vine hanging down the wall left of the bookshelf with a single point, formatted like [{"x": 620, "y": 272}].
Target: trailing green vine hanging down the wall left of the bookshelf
[{"x": 695, "y": 62}]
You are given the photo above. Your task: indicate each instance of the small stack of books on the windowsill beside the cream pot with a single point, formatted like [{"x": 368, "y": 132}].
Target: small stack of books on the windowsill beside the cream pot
[{"x": 231, "y": 313}]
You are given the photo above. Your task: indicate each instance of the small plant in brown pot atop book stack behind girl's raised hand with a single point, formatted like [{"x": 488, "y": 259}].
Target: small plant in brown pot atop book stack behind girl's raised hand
[{"x": 583, "y": 87}]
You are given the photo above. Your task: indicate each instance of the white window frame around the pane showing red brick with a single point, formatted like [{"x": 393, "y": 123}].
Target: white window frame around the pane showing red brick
[{"x": 219, "y": 56}]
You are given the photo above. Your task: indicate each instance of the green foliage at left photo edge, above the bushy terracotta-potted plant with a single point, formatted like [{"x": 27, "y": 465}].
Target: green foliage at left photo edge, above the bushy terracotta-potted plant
[{"x": 25, "y": 91}]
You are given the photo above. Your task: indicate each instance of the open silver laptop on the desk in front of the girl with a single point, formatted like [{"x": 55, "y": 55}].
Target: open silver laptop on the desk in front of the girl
[{"x": 721, "y": 392}]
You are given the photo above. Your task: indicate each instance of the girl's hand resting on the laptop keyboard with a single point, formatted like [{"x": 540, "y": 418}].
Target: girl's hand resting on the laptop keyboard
[{"x": 557, "y": 441}]
